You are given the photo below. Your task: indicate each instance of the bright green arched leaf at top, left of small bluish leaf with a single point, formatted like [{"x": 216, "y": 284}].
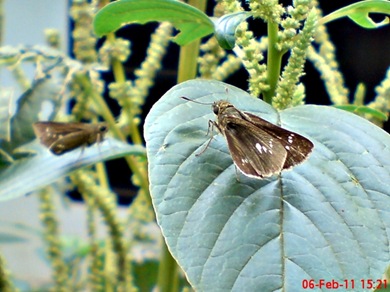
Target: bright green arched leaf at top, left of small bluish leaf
[{"x": 192, "y": 22}]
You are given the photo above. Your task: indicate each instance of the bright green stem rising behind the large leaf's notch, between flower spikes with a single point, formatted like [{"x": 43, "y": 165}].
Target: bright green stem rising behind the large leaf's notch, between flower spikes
[{"x": 274, "y": 61}]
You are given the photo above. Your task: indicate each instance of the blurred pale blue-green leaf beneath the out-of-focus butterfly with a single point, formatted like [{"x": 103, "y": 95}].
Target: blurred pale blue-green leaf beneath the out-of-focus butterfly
[{"x": 32, "y": 173}]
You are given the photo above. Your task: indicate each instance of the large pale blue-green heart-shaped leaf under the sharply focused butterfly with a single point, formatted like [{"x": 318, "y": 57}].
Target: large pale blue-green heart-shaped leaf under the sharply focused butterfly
[{"x": 328, "y": 218}]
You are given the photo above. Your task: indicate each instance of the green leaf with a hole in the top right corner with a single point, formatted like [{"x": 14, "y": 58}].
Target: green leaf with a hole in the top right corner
[{"x": 359, "y": 13}]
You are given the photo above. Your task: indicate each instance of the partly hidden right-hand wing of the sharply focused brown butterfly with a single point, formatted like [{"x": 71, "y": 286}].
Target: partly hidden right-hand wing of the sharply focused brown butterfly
[{"x": 298, "y": 147}]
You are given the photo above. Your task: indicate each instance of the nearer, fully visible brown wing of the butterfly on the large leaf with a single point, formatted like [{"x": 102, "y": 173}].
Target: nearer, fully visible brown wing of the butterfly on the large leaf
[{"x": 255, "y": 152}]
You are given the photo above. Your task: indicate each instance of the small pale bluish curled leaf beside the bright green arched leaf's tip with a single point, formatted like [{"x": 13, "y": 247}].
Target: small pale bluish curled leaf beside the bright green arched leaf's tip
[{"x": 225, "y": 28}]
